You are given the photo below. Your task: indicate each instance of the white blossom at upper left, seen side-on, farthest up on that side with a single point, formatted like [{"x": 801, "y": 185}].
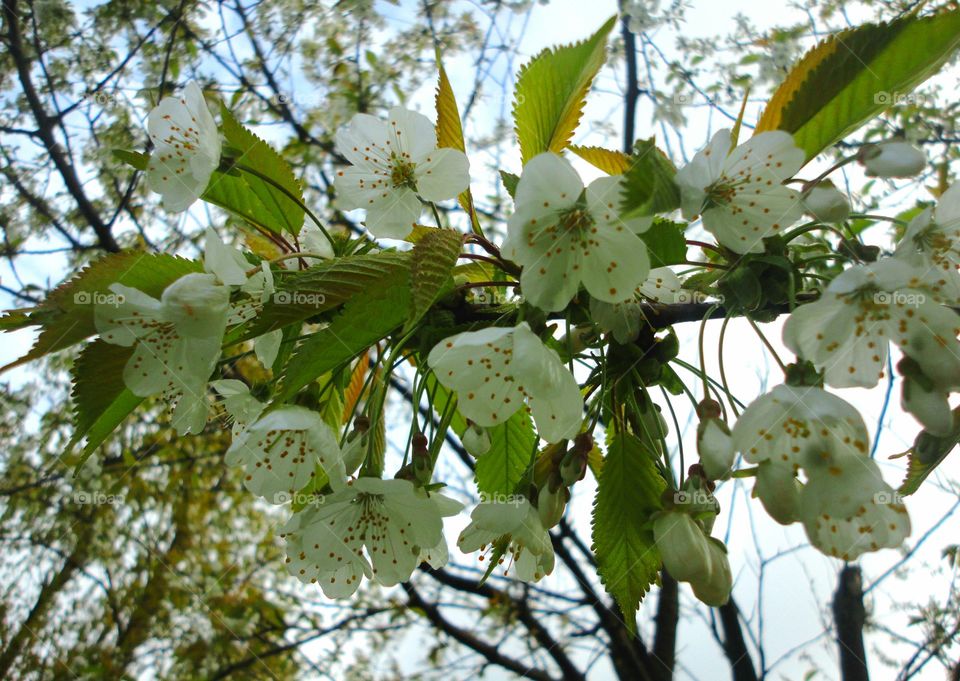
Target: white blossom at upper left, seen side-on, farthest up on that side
[{"x": 186, "y": 148}]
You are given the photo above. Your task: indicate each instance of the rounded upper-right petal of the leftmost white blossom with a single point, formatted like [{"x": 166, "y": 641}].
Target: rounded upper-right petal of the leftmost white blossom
[{"x": 195, "y": 304}]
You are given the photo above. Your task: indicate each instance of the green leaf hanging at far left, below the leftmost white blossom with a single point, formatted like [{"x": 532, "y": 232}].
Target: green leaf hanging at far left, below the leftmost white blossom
[{"x": 101, "y": 400}]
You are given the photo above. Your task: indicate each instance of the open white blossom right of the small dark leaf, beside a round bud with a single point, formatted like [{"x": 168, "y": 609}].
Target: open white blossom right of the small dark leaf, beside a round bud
[{"x": 739, "y": 192}]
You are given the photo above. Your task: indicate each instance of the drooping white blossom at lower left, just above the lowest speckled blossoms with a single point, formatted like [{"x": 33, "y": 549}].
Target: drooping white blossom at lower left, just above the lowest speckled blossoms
[{"x": 281, "y": 450}]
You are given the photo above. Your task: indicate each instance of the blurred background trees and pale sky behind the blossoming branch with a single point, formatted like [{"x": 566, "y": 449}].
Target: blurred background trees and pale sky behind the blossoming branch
[{"x": 154, "y": 562}]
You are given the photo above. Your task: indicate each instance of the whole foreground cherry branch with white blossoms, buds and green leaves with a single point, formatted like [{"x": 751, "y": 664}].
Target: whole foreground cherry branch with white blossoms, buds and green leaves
[{"x": 547, "y": 348}]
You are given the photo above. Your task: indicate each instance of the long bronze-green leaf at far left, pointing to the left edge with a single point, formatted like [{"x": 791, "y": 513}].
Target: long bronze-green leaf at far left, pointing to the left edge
[{"x": 66, "y": 316}]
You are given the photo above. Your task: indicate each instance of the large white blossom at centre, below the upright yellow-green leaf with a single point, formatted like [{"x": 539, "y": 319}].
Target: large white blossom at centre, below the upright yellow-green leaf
[{"x": 564, "y": 236}]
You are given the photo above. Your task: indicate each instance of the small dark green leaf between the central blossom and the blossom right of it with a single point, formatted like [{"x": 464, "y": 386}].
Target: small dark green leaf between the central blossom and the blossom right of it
[{"x": 648, "y": 185}]
